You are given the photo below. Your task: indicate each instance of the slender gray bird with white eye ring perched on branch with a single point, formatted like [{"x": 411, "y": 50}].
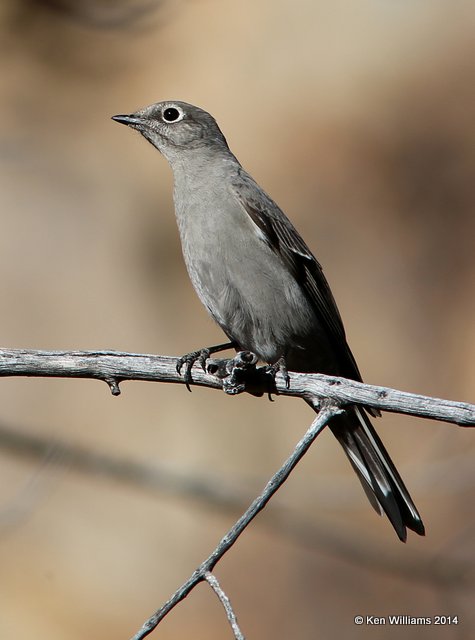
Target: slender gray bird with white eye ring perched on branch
[{"x": 261, "y": 283}]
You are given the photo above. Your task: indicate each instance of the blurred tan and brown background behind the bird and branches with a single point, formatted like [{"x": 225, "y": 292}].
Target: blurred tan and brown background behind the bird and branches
[{"x": 358, "y": 118}]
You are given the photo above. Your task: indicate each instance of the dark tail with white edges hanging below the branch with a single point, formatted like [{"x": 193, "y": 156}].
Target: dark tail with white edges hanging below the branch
[{"x": 378, "y": 475}]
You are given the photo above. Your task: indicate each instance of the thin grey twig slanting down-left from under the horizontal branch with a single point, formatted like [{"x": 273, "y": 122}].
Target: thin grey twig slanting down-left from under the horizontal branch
[{"x": 321, "y": 420}]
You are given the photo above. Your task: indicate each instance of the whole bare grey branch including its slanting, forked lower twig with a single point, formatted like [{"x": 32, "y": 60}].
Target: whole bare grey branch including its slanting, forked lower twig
[{"x": 329, "y": 395}]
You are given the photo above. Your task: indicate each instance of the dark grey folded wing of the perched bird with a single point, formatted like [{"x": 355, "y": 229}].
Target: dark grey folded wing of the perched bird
[{"x": 279, "y": 233}]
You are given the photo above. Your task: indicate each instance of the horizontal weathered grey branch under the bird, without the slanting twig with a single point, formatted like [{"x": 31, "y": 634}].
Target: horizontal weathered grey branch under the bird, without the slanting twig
[{"x": 115, "y": 367}]
